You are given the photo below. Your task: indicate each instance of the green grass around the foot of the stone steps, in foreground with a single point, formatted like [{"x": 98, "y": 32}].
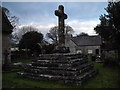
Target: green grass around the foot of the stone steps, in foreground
[{"x": 107, "y": 78}]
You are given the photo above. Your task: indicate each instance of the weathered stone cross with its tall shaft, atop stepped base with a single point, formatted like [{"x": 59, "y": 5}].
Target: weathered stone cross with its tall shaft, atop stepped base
[{"x": 61, "y": 16}]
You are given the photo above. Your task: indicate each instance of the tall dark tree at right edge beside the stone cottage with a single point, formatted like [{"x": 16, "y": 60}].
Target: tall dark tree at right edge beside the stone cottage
[{"x": 109, "y": 27}]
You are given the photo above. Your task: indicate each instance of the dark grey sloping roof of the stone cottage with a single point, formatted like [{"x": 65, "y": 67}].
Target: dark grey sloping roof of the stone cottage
[{"x": 87, "y": 40}]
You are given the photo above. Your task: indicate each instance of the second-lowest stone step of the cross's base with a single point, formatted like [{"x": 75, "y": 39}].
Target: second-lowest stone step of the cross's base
[{"x": 63, "y": 71}]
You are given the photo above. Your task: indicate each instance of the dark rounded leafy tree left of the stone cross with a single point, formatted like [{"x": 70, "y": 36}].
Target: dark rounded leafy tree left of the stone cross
[{"x": 30, "y": 39}]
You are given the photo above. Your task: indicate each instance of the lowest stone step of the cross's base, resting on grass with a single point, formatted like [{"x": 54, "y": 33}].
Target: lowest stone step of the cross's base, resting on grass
[{"x": 68, "y": 79}]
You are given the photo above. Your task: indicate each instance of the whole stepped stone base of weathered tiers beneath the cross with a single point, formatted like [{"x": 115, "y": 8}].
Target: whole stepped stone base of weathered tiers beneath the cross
[{"x": 63, "y": 68}]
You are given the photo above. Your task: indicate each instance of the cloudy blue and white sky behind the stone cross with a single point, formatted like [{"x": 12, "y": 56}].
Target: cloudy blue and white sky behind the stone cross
[{"x": 82, "y": 16}]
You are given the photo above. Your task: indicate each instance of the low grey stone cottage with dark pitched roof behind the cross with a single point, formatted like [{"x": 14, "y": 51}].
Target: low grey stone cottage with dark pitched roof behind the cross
[{"x": 84, "y": 44}]
